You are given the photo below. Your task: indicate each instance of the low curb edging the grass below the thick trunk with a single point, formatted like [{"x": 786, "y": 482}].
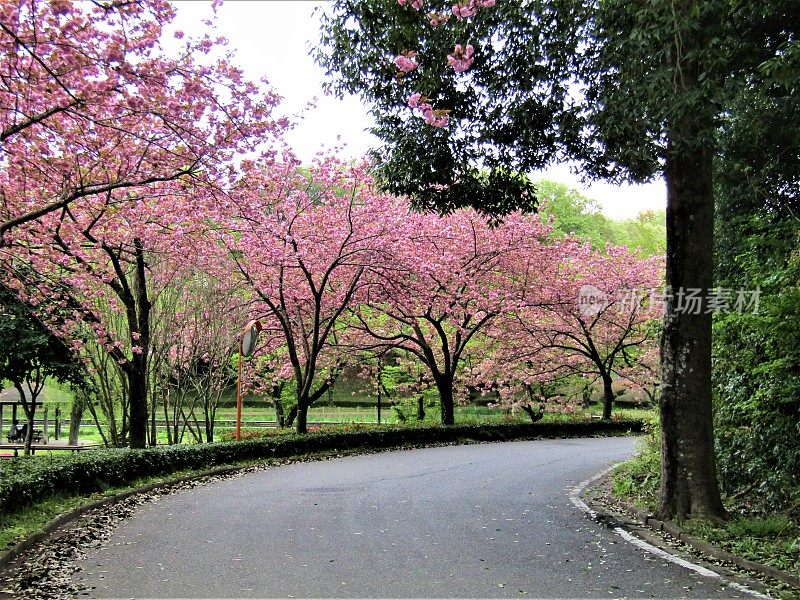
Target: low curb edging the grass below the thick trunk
[{"x": 675, "y": 531}]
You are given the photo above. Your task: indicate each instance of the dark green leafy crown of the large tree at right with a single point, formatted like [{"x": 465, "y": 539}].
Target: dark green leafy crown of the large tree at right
[{"x": 516, "y": 111}]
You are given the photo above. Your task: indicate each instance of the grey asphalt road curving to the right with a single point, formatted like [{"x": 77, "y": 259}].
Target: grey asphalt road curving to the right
[{"x": 490, "y": 520}]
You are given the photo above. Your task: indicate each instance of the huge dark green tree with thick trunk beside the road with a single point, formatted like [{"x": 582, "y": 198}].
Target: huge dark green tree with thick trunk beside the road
[{"x": 634, "y": 90}]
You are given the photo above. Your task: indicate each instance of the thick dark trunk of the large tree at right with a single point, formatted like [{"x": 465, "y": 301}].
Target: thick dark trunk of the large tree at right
[{"x": 689, "y": 485}]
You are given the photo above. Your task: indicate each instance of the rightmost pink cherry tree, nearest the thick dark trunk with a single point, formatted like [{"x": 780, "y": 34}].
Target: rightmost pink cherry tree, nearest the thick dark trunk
[{"x": 603, "y": 321}]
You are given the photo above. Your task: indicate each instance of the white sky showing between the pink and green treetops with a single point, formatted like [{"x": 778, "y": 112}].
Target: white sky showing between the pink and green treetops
[{"x": 273, "y": 38}]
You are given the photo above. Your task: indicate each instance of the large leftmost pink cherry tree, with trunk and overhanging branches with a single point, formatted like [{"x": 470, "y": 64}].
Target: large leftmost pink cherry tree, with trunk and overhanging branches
[{"x": 114, "y": 156}]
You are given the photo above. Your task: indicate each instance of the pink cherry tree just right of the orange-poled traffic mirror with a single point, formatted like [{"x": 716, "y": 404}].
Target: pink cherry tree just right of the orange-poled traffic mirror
[{"x": 303, "y": 242}]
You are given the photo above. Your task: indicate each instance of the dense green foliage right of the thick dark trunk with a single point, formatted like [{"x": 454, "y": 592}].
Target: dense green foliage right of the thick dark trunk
[{"x": 756, "y": 355}]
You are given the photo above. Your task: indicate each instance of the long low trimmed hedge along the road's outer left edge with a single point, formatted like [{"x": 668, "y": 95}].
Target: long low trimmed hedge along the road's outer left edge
[{"x": 24, "y": 481}]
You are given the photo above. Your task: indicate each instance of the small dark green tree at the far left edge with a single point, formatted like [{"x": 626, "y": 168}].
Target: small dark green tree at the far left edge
[{"x": 30, "y": 354}]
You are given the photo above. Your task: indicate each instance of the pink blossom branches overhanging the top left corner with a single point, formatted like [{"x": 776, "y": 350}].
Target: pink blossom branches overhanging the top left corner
[{"x": 91, "y": 105}]
